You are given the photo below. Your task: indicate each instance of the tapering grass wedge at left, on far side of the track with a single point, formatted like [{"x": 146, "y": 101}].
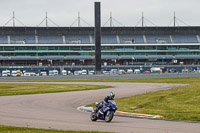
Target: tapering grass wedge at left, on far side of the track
[{"x": 28, "y": 88}]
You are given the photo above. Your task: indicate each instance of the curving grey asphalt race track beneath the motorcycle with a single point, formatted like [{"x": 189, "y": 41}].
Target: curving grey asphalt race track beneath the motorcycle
[{"x": 59, "y": 110}]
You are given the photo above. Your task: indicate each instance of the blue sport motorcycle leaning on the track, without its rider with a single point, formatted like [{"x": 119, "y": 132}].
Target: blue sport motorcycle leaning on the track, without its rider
[{"x": 105, "y": 113}]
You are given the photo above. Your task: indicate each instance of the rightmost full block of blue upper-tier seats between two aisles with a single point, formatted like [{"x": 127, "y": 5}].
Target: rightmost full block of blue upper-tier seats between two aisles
[{"x": 185, "y": 38}]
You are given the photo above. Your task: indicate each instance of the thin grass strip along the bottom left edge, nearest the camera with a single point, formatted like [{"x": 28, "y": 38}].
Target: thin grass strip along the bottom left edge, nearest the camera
[{"x": 12, "y": 129}]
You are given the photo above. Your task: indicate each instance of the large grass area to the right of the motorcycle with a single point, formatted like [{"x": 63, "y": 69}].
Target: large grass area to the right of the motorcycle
[{"x": 180, "y": 103}]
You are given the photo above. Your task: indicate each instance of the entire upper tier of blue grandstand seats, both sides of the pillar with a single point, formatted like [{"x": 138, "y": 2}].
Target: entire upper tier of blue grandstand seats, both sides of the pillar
[{"x": 105, "y": 39}]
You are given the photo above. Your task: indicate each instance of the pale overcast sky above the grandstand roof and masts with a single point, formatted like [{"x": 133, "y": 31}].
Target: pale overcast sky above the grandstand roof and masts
[{"x": 127, "y": 12}]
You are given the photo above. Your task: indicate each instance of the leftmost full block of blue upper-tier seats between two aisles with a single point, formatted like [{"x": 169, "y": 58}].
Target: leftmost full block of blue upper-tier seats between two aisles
[{"x": 20, "y": 39}]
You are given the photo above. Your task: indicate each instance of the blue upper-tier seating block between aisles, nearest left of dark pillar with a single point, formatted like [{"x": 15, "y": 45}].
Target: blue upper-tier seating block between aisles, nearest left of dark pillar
[{"x": 77, "y": 39}]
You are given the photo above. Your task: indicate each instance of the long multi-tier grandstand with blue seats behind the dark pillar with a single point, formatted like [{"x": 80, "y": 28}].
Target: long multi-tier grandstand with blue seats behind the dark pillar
[{"x": 120, "y": 45}]
